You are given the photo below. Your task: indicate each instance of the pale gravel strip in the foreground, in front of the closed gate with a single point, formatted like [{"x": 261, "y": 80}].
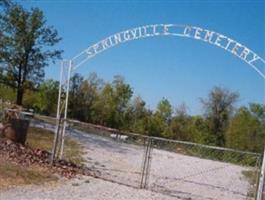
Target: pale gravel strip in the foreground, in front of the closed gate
[{"x": 86, "y": 188}]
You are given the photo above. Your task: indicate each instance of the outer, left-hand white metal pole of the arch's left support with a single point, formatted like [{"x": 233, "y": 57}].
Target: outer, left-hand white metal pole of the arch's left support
[{"x": 55, "y": 140}]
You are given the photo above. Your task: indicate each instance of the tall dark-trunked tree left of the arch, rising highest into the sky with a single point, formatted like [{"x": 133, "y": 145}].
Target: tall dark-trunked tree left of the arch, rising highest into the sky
[{"x": 24, "y": 48}]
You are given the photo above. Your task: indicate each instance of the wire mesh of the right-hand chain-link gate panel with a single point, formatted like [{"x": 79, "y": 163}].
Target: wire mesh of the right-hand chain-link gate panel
[{"x": 194, "y": 171}]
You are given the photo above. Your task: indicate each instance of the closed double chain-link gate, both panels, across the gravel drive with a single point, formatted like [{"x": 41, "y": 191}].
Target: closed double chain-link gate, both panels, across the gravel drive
[{"x": 179, "y": 169}]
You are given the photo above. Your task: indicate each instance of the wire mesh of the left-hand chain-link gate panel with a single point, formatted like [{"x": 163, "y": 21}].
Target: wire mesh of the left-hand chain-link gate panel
[{"x": 116, "y": 157}]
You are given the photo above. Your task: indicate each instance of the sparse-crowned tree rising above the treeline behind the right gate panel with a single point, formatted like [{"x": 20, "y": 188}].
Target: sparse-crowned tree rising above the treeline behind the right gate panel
[{"x": 218, "y": 109}]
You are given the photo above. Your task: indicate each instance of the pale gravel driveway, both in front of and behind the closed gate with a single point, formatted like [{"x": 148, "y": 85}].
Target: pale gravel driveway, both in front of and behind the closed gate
[{"x": 173, "y": 176}]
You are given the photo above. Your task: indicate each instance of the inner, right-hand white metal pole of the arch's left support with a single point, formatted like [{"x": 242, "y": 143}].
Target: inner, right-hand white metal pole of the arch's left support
[{"x": 65, "y": 109}]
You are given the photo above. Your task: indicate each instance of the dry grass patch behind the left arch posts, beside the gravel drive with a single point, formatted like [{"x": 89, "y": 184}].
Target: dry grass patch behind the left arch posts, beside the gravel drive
[{"x": 43, "y": 139}]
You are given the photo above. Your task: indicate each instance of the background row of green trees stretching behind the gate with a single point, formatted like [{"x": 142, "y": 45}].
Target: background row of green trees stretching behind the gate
[{"x": 113, "y": 104}]
